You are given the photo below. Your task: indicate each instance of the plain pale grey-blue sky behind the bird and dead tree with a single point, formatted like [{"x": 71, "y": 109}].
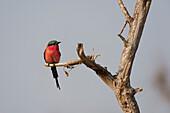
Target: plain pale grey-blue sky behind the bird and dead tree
[{"x": 26, "y": 26}]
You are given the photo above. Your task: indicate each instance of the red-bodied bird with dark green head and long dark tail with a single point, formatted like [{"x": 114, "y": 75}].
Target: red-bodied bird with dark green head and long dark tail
[{"x": 52, "y": 55}]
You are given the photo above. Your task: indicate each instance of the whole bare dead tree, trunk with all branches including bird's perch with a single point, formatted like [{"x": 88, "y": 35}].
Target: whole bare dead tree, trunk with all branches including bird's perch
[{"x": 120, "y": 83}]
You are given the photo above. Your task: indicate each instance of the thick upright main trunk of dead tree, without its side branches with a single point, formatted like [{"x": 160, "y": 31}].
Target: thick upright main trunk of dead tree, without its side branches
[{"x": 128, "y": 102}]
